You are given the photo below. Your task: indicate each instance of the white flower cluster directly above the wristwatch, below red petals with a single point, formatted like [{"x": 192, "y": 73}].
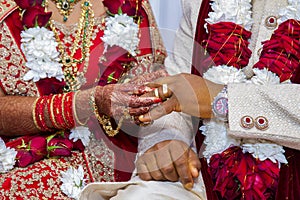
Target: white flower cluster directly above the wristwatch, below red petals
[{"x": 223, "y": 75}]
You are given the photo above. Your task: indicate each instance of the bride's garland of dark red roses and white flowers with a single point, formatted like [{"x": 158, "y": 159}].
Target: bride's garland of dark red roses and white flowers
[{"x": 43, "y": 60}]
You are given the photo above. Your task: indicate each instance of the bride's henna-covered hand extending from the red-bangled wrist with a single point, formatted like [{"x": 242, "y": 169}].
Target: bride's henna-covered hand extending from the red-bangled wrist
[{"x": 115, "y": 100}]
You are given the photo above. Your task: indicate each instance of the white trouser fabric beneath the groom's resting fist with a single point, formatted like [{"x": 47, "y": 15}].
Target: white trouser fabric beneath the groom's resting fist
[{"x": 136, "y": 189}]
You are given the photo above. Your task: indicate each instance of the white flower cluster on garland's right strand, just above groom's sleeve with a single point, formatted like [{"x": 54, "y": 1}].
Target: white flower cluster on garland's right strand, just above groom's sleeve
[{"x": 264, "y": 76}]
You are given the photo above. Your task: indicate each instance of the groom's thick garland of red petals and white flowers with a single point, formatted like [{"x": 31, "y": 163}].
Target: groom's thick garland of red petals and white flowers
[{"x": 243, "y": 168}]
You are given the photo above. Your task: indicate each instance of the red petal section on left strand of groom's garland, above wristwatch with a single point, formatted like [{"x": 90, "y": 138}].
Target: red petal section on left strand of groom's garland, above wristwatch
[{"x": 227, "y": 44}]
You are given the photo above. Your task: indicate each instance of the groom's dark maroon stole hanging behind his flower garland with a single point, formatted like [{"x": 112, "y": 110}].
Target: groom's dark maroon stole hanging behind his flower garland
[{"x": 289, "y": 175}]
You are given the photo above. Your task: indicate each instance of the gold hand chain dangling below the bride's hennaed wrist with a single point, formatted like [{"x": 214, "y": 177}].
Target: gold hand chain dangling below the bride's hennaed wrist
[{"x": 105, "y": 120}]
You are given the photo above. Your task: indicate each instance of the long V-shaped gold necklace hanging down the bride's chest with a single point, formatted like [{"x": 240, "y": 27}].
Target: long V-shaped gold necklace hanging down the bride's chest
[{"x": 73, "y": 77}]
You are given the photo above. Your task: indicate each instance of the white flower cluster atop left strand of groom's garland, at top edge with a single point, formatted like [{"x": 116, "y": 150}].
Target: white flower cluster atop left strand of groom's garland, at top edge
[{"x": 236, "y": 11}]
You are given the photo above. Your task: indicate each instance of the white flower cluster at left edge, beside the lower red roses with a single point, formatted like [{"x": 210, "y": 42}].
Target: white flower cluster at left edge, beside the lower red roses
[{"x": 7, "y": 157}]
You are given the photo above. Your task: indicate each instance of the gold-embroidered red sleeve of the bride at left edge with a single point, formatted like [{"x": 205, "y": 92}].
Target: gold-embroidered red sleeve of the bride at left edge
[{"x": 12, "y": 66}]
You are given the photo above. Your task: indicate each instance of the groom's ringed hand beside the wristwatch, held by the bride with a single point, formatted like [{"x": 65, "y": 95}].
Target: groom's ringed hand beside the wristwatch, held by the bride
[{"x": 186, "y": 93}]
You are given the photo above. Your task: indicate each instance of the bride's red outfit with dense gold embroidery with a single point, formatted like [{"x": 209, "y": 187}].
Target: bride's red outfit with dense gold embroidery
[{"x": 106, "y": 158}]
